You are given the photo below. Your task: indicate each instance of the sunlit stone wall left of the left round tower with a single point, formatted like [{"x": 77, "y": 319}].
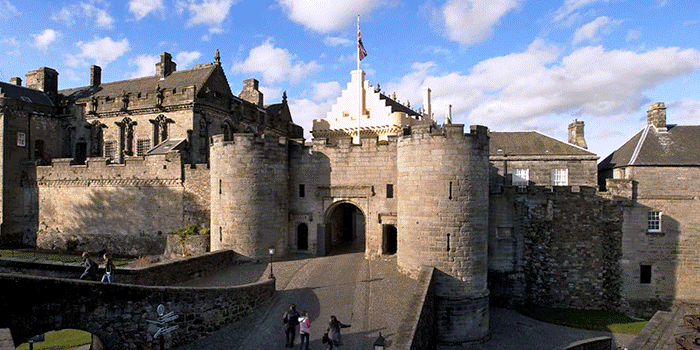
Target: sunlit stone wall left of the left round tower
[{"x": 124, "y": 208}]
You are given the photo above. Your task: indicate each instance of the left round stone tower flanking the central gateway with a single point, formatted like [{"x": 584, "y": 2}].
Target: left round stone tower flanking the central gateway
[{"x": 249, "y": 195}]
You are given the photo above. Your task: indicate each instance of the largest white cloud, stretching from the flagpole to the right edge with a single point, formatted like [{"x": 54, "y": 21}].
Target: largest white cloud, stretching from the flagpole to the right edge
[{"x": 517, "y": 89}]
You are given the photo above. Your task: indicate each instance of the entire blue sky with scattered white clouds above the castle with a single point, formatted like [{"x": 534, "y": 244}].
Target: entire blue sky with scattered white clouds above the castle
[{"x": 506, "y": 64}]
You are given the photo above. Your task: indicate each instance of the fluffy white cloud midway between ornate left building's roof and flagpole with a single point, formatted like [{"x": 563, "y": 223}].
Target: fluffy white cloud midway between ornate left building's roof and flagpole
[{"x": 275, "y": 64}]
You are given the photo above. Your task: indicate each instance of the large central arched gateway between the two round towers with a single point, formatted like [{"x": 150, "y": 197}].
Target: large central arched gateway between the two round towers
[{"x": 345, "y": 229}]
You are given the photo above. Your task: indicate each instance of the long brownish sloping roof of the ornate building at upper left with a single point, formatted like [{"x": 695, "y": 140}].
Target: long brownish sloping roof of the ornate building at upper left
[{"x": 196, "y": 76}]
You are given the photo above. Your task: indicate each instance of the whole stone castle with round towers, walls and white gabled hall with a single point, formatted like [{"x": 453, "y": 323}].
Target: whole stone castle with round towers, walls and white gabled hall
[{"x": 505, "y": 217}]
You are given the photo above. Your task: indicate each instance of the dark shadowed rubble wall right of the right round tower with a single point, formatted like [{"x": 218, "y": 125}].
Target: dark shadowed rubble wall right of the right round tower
[{"x": 559, "y": 248}]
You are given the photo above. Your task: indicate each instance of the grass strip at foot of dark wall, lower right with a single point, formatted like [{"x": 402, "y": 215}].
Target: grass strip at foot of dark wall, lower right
[{"x": 605, "y": 321}]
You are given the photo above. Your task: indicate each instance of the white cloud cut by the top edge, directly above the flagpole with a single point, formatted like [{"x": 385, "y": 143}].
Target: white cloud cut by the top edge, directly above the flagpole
[{"x": 325, "y": 16}]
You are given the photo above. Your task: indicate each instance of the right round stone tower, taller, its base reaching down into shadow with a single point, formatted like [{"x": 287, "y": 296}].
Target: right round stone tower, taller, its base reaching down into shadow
[{"x": 442, "y": 218}]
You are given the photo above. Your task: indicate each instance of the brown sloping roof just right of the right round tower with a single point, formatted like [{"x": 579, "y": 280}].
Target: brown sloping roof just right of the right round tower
[{"x": 531, "y": 143}]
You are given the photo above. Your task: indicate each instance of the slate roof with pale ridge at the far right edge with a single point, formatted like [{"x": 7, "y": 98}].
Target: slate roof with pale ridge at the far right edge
[{"x": 679, "y": 145}]
